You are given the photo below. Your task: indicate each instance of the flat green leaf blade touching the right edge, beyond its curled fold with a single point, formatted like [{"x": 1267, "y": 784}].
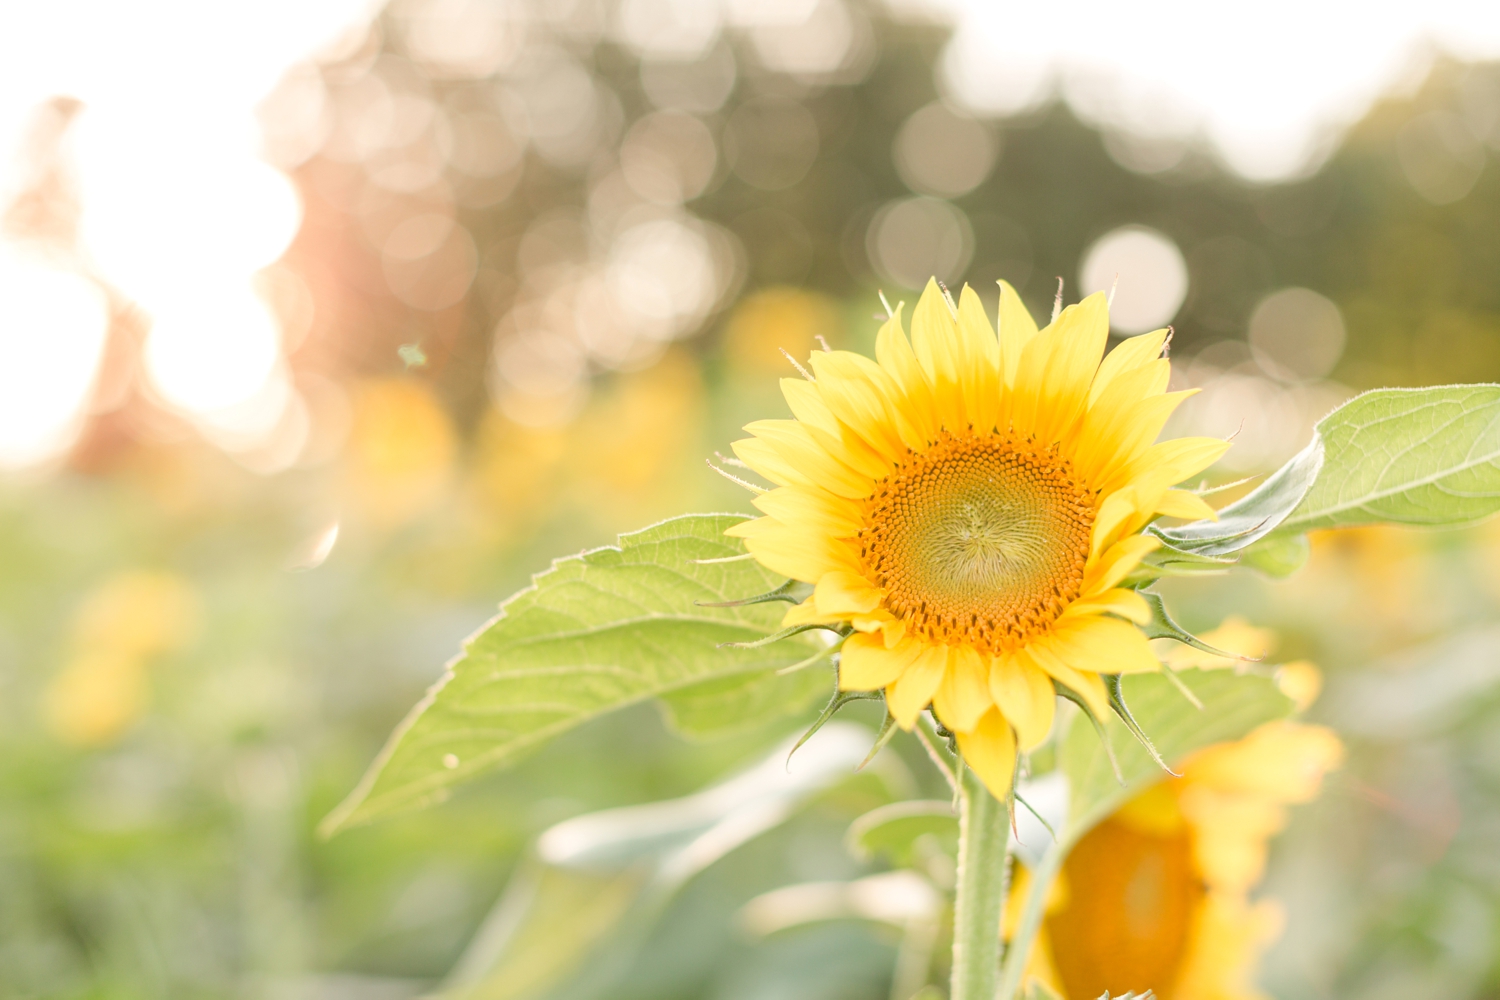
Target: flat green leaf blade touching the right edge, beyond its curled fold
[{"x": 1409, "y": 457}]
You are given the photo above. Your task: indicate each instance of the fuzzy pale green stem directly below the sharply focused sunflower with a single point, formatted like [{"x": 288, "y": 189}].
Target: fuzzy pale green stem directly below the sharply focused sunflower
[{"x": 980, "y": 893}]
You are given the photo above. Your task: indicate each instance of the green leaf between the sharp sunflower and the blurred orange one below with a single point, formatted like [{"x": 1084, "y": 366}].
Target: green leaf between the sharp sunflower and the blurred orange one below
[{"x": 1234, "y": 704}]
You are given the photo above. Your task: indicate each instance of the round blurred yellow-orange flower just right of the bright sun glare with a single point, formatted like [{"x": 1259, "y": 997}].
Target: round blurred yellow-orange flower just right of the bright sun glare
[{"x": 401, "y": 451}]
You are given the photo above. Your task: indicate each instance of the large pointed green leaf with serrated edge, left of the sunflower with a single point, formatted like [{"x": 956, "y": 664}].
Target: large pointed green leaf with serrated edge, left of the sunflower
[{"x": 593, "y": 635}]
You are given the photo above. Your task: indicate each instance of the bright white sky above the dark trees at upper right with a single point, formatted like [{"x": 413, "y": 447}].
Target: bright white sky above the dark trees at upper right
[{"x": 1267, "y": 83}]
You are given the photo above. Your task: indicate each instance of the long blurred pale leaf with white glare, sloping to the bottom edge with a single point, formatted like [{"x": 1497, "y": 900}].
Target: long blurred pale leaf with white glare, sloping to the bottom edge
[{"x": 574, "y": 915}]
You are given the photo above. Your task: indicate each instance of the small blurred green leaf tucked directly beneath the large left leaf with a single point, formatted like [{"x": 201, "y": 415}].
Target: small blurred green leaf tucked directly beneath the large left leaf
[{"x": 742, "y": 704}]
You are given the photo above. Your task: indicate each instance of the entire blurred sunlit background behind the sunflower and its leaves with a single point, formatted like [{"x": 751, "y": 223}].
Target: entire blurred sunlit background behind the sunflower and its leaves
[{"x": 325, "y": 325}]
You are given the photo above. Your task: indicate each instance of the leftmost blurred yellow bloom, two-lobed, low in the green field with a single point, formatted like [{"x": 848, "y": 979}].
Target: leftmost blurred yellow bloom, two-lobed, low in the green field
[{"x": 122, "y": 624}]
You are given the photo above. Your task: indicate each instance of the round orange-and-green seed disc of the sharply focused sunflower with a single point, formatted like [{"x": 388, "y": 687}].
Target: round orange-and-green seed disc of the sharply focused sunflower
[{"x": 979, "y": 540}]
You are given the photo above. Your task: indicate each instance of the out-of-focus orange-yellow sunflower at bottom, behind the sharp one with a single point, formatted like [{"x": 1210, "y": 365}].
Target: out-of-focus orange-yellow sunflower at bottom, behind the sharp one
[{"x": 1168, "y": 876}]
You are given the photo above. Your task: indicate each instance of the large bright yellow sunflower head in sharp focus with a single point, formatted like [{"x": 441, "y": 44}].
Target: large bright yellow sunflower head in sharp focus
[{"x": 970, "y": 504}]
